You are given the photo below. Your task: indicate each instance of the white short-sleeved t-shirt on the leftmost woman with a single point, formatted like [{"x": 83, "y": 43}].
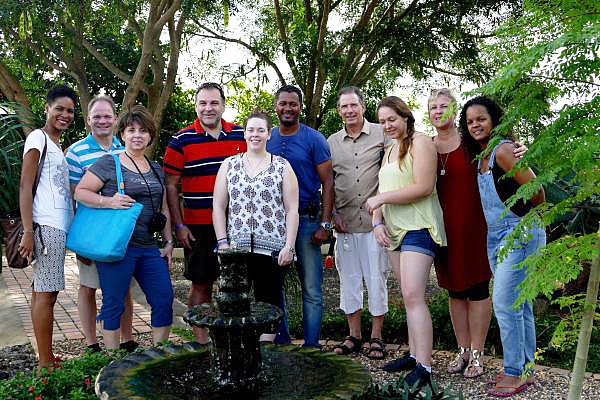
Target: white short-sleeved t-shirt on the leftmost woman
[{"x": 52, "y": 205}]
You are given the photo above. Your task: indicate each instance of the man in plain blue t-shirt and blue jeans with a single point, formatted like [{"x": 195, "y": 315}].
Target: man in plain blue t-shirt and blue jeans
[{"x": 308, "y": 153}]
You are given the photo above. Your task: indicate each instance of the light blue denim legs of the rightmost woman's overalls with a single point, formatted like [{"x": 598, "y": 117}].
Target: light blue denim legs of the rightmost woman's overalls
[{"x": 517, "y": 325}]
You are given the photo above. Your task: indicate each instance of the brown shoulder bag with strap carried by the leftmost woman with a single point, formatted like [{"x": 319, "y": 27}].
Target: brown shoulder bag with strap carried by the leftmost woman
[{"x": 13, "y": 227}]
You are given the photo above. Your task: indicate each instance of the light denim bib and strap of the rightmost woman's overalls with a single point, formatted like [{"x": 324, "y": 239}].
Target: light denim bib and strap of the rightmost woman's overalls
[{"x": 493, "y": 206}]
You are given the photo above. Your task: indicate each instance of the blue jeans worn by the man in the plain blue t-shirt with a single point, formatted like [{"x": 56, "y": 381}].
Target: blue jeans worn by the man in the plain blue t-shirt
[{"x": 310, "y": 271}]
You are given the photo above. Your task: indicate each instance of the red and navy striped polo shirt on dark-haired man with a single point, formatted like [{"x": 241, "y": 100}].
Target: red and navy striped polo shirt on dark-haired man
[{"x": 197, "y": 156}]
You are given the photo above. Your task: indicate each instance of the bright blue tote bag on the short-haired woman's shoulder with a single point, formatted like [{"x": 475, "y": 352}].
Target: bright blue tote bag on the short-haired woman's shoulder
[{"x": 102, "y": 234}]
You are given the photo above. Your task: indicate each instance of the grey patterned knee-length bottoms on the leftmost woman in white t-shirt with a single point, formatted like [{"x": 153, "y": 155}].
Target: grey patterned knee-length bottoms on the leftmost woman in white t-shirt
[{"x": 49, "y": 265}]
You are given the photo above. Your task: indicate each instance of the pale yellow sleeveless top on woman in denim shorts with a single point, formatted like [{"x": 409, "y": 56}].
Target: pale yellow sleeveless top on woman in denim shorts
[{"x": 401, "y": 218}]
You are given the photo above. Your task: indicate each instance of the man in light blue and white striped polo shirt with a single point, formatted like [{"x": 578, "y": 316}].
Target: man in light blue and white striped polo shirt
[{"x": 80, "y": 156}]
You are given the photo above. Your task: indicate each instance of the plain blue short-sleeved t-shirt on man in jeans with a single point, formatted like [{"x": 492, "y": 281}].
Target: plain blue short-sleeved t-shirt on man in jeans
[{"x": 304, "y": 150}]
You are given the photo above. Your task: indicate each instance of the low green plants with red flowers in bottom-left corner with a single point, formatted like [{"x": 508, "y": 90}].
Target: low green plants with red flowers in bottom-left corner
[{"x": 73, "y": 381}]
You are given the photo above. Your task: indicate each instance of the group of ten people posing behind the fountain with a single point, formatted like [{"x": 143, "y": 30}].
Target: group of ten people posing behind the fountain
[{"x": 394, "y": 197}]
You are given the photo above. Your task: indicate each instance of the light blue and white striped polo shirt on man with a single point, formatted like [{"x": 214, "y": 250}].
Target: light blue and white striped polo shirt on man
[{"x": 83, "y": 153}]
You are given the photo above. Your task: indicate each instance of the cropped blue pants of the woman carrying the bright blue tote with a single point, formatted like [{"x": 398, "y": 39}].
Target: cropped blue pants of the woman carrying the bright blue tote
[{"x": 152, "y": 274}]
